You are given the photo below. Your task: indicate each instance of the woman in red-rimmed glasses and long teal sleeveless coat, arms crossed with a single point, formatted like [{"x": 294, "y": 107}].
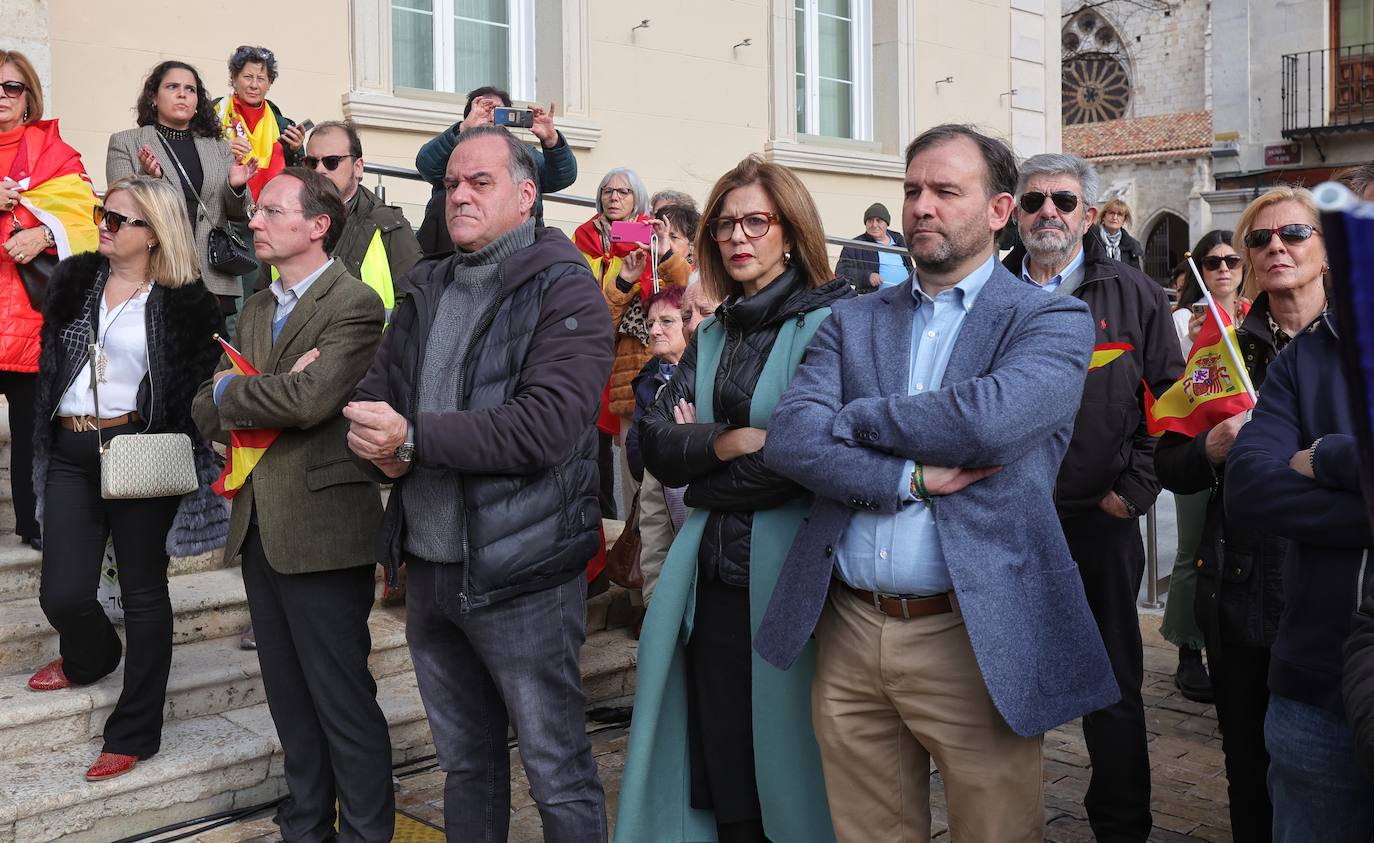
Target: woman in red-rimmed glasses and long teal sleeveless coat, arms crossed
[{"x": 692, "y": 756}]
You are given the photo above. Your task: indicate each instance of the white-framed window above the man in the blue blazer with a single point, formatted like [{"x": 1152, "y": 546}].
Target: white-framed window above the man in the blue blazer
[{"x": 835, "y": 68}]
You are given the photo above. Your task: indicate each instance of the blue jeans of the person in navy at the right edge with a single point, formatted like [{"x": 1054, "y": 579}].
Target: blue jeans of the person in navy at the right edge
[{"x": 1316, "y": 782}]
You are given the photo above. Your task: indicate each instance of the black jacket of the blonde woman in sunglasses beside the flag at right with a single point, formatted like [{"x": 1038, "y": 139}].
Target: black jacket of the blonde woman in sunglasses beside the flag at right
[{"x": 1240, "y": 592}]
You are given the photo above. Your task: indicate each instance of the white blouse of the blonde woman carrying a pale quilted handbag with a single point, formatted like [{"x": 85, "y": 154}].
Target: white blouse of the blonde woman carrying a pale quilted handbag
[{"x": 127, "y": 363}]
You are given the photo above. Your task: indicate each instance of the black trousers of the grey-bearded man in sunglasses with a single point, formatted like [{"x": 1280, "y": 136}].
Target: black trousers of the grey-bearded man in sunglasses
[{"x": 1111, "y": 558}]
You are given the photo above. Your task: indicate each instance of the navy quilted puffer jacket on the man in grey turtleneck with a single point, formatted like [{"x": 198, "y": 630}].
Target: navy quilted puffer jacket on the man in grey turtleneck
[{"x": 524, "y": 439}]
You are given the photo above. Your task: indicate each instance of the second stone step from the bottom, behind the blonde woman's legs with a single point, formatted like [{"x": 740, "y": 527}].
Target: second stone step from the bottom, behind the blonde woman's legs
[{"x": 208, "y": 678}]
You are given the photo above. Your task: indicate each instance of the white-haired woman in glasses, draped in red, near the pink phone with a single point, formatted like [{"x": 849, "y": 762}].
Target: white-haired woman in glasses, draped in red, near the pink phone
[{"x": 626, "y": 277}]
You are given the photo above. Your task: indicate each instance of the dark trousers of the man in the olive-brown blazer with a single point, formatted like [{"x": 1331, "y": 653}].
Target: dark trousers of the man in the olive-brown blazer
[{"x": 313, "y": 645}]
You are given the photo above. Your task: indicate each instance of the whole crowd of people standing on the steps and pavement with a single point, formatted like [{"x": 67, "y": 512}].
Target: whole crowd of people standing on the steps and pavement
[{"x": 877, "y": 532}]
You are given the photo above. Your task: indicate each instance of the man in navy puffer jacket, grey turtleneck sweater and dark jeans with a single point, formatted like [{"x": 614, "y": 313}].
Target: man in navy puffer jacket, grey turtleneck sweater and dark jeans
[{"x": 482, "y": 406}]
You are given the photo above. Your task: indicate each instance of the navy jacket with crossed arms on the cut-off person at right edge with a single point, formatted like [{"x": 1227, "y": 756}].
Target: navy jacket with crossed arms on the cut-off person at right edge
[{"x": 1306, "y": 396}]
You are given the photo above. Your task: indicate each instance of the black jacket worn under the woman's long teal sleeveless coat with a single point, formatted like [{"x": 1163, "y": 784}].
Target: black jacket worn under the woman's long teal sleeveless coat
[{"x": 684, "y": 455}]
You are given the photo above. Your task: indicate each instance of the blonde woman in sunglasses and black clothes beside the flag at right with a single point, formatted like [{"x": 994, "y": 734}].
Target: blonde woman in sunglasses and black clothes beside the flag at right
[{"x": 1240, "y": 583}]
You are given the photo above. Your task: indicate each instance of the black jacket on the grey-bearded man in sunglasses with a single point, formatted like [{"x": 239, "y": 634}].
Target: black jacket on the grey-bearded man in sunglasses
[{"x": 1112, "y": 450}]
